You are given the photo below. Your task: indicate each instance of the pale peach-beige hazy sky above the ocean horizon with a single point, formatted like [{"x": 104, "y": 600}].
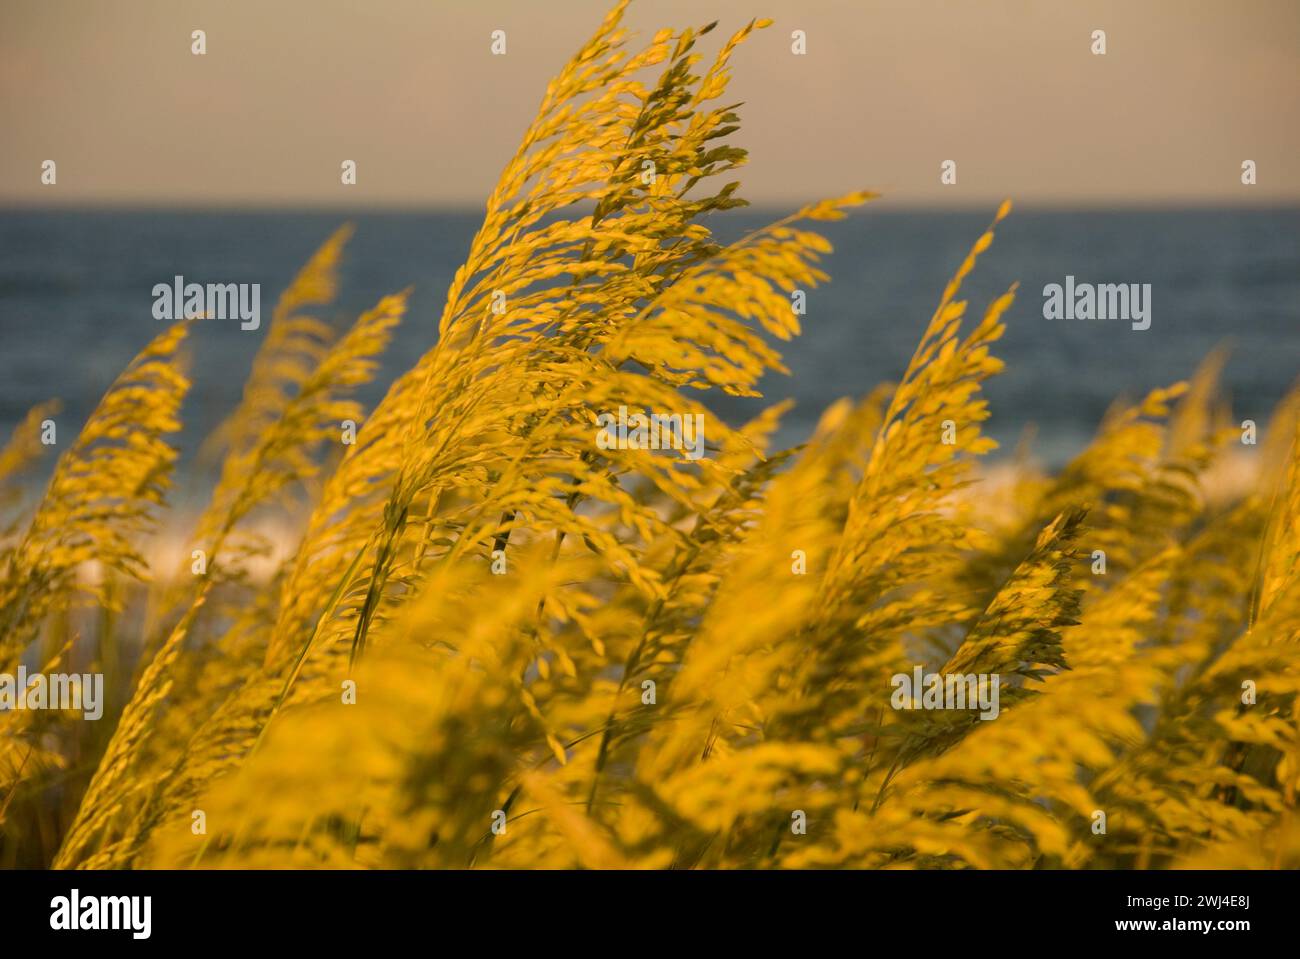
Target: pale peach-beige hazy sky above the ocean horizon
[{"x": 887, "y": 92}]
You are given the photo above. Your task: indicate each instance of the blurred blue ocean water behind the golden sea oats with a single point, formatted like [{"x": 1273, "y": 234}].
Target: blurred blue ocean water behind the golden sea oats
[{"x": 76, "y": 305}]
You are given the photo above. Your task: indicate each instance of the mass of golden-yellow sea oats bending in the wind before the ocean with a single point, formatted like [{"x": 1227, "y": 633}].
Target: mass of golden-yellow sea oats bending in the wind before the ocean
[{"x": 496, "y": 643}]
